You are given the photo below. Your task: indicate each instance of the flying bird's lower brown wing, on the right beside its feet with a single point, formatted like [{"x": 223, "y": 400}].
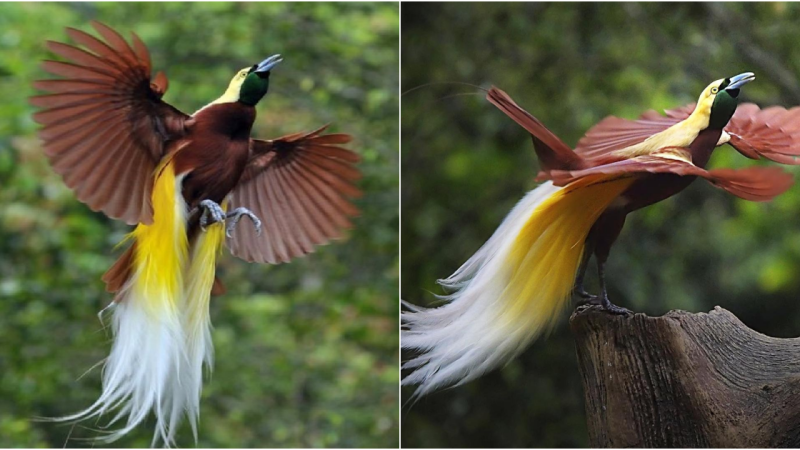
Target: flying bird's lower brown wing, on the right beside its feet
[{"x": 299, "y": 186}]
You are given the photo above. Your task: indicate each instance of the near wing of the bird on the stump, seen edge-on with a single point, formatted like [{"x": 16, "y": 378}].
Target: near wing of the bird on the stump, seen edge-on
[{"x": 752, "y": 183}]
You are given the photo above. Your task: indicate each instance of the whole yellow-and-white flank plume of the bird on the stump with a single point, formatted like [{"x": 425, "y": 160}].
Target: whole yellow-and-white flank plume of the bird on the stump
[{"x": 509, "y": 292}]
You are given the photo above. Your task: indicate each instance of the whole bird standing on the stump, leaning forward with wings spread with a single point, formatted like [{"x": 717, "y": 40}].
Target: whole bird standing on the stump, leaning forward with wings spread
[{"x": 513, "y": 289}]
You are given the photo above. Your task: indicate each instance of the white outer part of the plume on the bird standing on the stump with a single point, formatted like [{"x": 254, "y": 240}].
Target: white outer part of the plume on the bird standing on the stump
[{"x": 454, "y": 336}]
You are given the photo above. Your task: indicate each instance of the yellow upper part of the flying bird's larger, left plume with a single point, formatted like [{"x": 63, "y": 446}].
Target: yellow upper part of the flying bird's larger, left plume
[{"x": 162, "y": 247}]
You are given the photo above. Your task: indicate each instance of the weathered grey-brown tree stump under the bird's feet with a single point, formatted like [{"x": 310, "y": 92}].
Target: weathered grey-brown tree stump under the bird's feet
[{"x": 686, "y": 380}]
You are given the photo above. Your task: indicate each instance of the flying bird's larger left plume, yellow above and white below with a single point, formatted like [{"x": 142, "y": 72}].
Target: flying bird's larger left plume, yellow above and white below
[{"x": 149, "y": 353}]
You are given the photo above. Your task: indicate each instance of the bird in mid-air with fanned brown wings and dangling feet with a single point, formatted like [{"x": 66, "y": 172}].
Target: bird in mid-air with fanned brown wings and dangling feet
[{"x": 184, "y": 181}]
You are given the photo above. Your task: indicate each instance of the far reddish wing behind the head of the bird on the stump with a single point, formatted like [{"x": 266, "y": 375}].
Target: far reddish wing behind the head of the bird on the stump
[{"x": 771, "y": 133}]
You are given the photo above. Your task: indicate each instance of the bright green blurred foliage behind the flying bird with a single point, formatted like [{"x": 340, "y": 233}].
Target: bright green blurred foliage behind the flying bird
[{"x": 306, "y": 353}]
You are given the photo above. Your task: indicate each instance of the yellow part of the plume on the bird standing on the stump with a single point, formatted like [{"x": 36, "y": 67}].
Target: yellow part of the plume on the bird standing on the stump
[{"x": 545, "y": 256}]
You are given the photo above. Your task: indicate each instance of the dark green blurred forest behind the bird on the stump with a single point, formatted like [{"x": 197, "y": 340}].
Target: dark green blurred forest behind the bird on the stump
[{"x": 465, "y": 164}]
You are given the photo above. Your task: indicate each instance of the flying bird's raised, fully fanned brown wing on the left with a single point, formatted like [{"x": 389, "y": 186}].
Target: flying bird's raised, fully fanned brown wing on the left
[{"x": 104, "y": 124}]
